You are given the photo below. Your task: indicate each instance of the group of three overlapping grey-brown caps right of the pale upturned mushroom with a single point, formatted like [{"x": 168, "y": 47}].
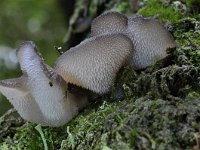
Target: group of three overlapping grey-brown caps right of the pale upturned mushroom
[{"x": 115, "y": 41}]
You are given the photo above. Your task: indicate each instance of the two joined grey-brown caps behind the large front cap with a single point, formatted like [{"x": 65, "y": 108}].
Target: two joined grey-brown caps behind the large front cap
[{"x": 150, "y": 39}]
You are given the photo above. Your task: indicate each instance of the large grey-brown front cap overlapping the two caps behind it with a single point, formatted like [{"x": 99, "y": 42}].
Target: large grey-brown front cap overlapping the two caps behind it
[{"x": 94, "y": 63}]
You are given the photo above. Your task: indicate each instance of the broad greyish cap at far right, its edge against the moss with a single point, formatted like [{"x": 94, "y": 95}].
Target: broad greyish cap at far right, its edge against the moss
[{"x": 150, "y": 39}]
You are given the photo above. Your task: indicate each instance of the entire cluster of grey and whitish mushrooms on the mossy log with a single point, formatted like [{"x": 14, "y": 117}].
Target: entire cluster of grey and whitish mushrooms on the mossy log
[{"x": 41, "y": 94}]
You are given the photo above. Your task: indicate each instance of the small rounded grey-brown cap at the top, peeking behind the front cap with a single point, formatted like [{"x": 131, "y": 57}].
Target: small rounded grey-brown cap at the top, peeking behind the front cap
[{"x": 107, "y": 23}]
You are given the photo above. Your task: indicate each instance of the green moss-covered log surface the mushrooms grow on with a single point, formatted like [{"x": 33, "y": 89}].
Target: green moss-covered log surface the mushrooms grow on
[{"x": 161, "y": 104}]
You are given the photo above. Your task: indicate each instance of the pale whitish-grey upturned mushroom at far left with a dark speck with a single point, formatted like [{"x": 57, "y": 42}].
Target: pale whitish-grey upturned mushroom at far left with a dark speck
[{"x": 40, "y": 95}]
